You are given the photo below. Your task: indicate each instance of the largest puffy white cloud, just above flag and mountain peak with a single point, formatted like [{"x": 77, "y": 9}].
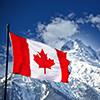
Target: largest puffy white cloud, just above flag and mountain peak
[{"x": 57, "y": 31}]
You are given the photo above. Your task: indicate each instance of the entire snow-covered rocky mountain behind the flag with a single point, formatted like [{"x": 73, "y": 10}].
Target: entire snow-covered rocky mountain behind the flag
[{"x": 84, "y": 79}]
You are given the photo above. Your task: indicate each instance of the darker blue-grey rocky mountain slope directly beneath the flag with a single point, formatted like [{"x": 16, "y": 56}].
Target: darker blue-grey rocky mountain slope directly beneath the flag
[{"x": 25, "y": 88}]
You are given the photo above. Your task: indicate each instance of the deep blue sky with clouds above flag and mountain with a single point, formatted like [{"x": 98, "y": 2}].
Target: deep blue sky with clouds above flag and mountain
[{"x": 50, "y": 21}]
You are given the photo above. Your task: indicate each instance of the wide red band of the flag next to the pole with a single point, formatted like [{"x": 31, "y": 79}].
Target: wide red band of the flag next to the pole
[{"x": 21, "y": 61}]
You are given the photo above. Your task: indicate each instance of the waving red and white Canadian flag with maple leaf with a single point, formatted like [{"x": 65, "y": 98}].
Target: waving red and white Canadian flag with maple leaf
[{"x": 38, "y": 60}]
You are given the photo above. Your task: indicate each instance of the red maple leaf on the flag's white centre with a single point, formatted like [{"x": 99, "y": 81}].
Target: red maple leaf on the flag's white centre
[{"x": 42, "y": 60}]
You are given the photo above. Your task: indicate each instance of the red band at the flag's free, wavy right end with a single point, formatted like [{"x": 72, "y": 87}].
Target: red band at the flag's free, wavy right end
[{"x": 64, "y": 65}]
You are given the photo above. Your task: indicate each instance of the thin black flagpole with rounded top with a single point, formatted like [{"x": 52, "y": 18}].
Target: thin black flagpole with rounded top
[{"x": 6, "y": 61}]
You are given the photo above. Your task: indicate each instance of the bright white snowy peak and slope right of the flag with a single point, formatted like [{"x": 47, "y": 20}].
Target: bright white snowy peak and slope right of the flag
[{"x": 84, "y": 79}]
